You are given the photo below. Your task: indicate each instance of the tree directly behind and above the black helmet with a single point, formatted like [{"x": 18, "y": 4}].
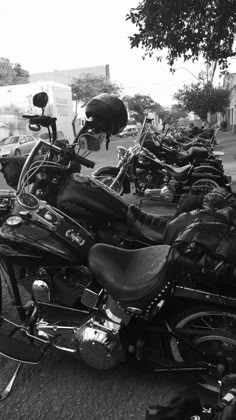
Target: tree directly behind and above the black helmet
[{"x": 90, "y": 85}]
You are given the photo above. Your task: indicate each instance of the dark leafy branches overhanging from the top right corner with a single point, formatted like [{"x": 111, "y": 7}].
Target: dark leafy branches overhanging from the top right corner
[{"x": 186, "y": 29}]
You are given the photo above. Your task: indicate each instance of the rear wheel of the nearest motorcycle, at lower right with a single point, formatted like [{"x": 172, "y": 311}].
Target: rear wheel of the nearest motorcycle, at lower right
[{"x": 220, "y": 324}]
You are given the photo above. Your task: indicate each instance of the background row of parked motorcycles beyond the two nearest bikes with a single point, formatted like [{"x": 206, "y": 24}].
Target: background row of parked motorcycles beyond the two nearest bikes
[{"x": 165, "y": 166}]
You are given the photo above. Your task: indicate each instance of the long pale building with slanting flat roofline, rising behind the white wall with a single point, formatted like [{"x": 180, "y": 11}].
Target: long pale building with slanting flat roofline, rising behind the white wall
[{"x": 66, "y": 76}]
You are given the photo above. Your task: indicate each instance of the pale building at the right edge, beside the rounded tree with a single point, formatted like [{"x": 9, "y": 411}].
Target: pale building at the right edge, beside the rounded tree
[{"x": 230, "y": 83}]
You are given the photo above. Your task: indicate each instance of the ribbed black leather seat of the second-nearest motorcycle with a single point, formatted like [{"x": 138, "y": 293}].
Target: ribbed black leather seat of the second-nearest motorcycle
[{"x": 147, "y": 227}]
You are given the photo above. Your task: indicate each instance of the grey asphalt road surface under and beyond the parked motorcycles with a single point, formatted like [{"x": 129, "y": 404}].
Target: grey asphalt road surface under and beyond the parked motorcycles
[{"x": 62, "y": 388}]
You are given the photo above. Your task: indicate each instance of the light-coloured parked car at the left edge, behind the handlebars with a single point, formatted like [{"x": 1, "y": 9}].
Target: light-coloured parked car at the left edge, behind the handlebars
[{"x": 20, "y": 145}]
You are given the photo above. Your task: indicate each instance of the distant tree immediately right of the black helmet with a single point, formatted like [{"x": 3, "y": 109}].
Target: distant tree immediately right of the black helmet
[{"x": 141, "y": 104}]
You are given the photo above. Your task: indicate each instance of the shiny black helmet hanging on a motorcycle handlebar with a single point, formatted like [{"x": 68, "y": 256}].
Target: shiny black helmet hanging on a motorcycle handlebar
[{"x": 108, "y": 112}]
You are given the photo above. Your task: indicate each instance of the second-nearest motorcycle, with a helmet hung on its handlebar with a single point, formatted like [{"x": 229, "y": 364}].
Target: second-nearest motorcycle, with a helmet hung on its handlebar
[{"x": 55, "y": 177}]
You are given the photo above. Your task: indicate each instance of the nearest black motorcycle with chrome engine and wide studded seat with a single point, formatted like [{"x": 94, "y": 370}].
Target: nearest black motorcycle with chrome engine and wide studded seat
[{"x": 105, "y": 304}]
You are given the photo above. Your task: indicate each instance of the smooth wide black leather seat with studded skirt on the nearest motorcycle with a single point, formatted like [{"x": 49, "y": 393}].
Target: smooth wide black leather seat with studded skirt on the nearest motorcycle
[{"x": 130, "y": 275}]
